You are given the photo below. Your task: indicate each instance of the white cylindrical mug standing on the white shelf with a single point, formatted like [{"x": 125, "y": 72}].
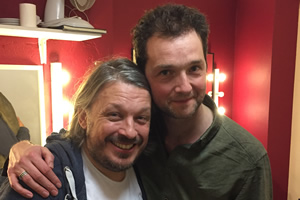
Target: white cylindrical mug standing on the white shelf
[{"x": 27, "y": 14}]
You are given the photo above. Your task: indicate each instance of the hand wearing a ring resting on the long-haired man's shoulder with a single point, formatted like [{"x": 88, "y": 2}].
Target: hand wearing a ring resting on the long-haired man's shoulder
[{"x": 30, "y": 158}]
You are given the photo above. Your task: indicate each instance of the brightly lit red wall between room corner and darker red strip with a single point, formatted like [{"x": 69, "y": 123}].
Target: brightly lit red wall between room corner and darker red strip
[{"x": 252, "y": 72}]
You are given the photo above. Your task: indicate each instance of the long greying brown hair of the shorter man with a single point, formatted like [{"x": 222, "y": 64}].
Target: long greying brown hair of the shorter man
[{"x": 114, "y": 70}]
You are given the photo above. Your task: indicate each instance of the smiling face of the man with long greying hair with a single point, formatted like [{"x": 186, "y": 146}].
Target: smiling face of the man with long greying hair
[{"x": 117, "y": 126}]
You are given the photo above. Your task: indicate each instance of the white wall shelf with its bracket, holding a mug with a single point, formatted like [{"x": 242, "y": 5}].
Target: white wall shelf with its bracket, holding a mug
[{"x": 43, "y": 34}]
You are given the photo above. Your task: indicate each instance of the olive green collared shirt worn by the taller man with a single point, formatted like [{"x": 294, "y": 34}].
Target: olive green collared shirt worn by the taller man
[{"x": 226, "y": 163}]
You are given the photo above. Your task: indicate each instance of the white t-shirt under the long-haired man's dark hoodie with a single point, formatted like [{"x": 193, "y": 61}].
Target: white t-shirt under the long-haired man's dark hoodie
[{"x": 98, "y": 186}]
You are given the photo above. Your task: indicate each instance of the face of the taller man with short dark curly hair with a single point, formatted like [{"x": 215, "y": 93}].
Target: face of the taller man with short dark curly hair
[{"x": 176, "y": 71}]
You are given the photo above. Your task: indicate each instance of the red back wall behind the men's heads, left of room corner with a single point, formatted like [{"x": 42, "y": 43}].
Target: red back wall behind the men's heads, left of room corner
[{"x": 111, "y": 15}]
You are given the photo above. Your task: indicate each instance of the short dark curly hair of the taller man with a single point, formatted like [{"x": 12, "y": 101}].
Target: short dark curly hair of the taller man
[{"x": 170, "y": 20}]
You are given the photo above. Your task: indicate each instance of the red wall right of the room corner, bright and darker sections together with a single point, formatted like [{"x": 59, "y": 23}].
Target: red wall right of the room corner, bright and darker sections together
[{"x": 265, "y": 49}]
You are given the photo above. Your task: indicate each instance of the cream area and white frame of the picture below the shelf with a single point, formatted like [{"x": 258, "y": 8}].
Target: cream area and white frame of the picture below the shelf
[{"x": 23, "y": 86}]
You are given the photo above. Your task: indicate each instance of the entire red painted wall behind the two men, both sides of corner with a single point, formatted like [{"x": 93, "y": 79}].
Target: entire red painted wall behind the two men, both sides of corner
[{"x": 253, "y": 42}]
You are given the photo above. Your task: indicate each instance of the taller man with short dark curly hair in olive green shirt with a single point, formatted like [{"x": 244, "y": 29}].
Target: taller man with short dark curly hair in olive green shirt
[{"x": 199, "y": 154}]
